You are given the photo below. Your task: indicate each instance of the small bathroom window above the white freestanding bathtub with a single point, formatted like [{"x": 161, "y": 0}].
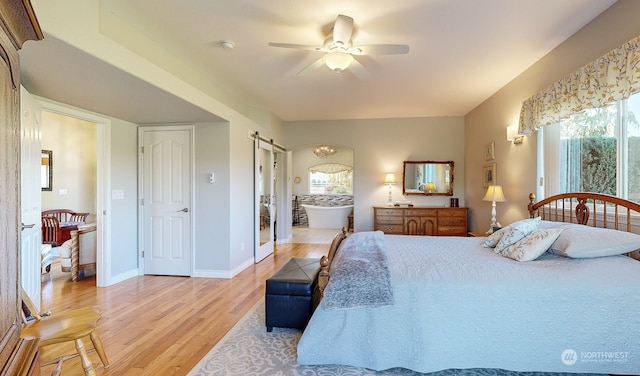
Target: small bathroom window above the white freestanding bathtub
[{"x": 331, "y": 178}]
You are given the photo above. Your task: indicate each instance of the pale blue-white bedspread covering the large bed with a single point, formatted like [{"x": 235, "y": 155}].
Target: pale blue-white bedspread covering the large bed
[{"x": 458, "y": 305}]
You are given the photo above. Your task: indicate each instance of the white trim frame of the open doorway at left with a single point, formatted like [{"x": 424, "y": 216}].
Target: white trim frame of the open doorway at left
[{"x": 103, "y": 183}]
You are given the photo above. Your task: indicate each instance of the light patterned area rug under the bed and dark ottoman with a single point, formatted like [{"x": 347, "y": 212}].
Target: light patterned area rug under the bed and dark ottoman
[{"x": 248, "y": 349}]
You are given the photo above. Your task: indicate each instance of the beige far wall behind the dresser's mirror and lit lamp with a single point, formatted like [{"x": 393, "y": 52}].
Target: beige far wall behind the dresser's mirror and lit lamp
[{"x": 380, "y": 146}]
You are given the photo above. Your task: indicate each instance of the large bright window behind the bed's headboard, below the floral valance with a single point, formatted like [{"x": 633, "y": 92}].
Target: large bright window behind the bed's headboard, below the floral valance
[{"x": 597, "y": 150}]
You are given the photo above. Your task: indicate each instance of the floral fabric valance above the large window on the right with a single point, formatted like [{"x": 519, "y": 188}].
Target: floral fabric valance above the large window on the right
[{"x": 610, "y": 78}]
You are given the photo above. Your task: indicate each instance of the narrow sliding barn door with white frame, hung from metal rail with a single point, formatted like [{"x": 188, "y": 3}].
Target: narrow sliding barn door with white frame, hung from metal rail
[{"x": 265, "y": 200}]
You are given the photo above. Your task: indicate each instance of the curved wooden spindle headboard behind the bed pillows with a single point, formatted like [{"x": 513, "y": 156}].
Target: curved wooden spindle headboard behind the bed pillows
[{"x": 592, "y": 209}]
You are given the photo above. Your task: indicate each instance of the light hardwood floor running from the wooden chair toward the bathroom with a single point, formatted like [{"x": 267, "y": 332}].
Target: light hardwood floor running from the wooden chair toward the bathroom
[{"x": 155, "y": 325}]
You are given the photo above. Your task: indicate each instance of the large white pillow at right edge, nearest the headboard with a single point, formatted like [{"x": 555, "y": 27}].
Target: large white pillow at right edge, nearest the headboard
[{"x": 582, "y": 241}]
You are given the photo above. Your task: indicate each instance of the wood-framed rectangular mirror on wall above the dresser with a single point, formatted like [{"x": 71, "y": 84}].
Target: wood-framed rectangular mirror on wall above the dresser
[{"x": 427, "y": 178}]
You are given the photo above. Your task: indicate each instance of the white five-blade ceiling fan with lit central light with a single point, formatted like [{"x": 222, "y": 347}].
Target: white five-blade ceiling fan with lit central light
[{"x": 339, "y": 51}]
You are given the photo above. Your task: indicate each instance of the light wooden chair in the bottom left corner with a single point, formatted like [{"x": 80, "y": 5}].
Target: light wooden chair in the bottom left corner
[{"x": 69, "y": 326}]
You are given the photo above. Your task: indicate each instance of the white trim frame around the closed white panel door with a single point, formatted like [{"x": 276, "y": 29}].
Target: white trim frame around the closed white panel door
[{"x": 141, "y": 224}]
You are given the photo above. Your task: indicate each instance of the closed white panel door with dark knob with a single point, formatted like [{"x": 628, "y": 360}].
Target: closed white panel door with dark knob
[{"x": 166, "y": 199}]
